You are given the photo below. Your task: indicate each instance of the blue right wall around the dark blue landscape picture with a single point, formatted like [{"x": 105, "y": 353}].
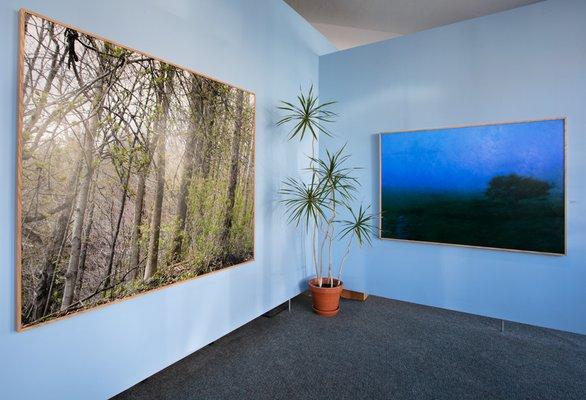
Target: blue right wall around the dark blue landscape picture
[{"x": 524, "y": 64}]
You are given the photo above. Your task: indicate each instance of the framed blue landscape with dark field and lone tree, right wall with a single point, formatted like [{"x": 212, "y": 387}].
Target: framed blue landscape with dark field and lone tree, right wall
[{"x": 498, "y": 186}]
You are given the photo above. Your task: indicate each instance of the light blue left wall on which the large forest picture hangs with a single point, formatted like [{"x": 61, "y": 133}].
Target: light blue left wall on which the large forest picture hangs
[{"x": 261, "y": 45}]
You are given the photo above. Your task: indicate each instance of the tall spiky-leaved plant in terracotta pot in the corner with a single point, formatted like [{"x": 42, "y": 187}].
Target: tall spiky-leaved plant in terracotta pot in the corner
[{"x": 322, "y": 203}]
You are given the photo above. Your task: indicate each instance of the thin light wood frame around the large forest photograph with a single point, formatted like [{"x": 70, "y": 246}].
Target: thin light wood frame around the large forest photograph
[{"x": 19, "y": 126}]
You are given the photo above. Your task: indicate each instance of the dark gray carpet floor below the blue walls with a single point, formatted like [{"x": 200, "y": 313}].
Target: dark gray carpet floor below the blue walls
[{"x": 378, "y": 349}]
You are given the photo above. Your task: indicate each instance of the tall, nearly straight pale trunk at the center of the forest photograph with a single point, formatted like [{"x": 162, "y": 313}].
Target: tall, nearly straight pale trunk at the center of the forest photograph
[{"x": 163, "y": 92}]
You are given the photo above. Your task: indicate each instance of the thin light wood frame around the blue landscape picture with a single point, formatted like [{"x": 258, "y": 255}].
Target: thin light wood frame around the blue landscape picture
[{"x": 565, "y": 183}]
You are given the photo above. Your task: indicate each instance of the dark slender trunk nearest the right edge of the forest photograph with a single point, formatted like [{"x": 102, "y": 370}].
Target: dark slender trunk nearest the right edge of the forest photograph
[{"x": 235, "y": 162}]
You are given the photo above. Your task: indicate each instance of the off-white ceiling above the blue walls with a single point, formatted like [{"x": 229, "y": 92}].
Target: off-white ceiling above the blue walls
[{"x": 349, "y": 23}]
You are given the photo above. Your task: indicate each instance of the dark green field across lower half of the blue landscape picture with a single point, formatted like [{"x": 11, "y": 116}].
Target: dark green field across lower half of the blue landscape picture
[{"x": 473, "y": 220}]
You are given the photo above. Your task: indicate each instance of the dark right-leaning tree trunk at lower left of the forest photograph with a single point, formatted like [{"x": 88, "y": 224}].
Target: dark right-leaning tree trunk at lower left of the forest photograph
[{"x": 42, "y": 293}]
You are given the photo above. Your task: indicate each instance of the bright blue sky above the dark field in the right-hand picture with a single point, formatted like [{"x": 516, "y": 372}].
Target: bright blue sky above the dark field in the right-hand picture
[{"x": 465, "y": 159}]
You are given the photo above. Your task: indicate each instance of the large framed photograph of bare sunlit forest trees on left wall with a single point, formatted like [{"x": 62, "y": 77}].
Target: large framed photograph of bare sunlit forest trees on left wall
[{"x": 132, "y": 173}]
